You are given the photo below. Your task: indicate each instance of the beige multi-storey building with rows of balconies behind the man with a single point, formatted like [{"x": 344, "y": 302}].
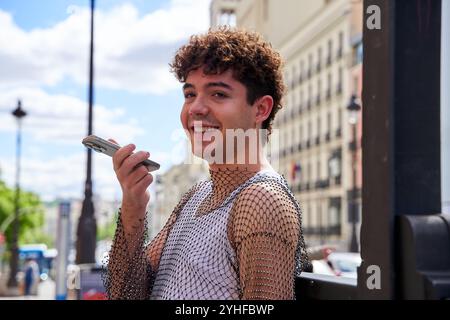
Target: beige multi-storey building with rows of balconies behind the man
[{"x": 321, "y": 43}]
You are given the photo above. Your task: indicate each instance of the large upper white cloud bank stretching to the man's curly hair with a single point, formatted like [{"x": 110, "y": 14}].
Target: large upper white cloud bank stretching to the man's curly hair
[{"x": 132, "y": 52}]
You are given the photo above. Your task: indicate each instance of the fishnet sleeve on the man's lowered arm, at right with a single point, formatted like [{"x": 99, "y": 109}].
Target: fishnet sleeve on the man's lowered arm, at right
[{"x": 265, "y": 227}]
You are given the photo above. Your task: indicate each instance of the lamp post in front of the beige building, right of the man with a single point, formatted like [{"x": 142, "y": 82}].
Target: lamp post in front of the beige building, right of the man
[{"x": 353, "y": 109}]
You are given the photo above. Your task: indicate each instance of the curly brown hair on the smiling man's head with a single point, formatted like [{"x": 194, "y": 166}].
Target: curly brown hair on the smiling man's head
[{"x": 252, "y": 60}]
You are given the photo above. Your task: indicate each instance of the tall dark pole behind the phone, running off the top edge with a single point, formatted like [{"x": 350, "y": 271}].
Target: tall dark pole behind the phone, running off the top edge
[{"x": 87, "y": 226}]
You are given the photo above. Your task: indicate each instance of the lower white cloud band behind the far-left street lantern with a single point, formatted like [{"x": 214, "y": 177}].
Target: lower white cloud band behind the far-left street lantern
[{"x": 61, "y": 119}]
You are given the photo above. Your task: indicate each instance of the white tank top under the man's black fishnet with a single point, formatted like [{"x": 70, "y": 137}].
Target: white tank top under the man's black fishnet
[{"x": 198, "y": 261}]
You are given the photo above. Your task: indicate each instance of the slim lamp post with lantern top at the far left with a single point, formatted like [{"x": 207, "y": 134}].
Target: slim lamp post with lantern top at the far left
[{"x": 18, "y": 113}]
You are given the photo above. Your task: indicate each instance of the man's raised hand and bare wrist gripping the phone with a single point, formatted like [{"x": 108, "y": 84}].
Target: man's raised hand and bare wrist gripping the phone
[{"x": 134, "y": 180}]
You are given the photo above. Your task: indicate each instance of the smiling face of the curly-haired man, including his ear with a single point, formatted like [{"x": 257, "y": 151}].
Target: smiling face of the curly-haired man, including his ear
[{"x": 218, "y": 102}]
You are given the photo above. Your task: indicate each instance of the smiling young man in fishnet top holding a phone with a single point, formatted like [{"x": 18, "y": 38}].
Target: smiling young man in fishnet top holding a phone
[{"x": 237, "y": 236}]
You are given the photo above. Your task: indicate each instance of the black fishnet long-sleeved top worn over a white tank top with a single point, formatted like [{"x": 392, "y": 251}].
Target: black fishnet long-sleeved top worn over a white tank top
[{"x": 237, "y": 236}]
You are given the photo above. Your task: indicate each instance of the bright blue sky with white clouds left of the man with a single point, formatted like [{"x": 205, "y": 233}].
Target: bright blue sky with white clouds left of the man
[{"x": 44, "y": 61}]
